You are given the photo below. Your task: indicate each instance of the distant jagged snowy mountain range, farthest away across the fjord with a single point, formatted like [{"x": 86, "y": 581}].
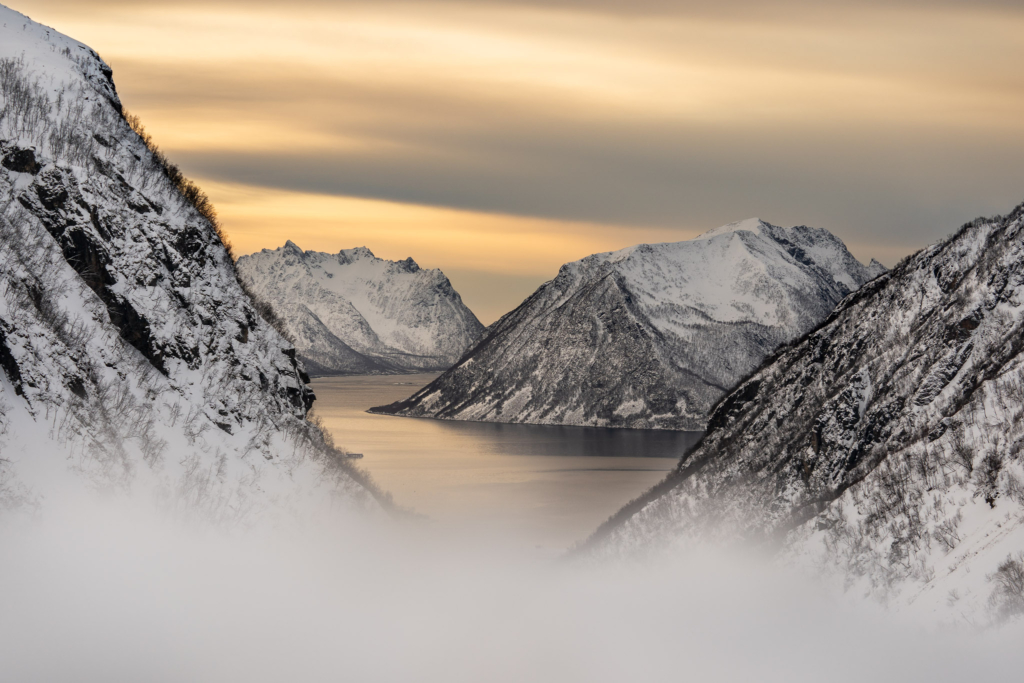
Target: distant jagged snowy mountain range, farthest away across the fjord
[{"x": 352, "y": 313}]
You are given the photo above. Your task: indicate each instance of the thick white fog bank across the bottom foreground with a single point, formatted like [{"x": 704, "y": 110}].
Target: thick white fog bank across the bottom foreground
[{"x": 113, "y": 591}]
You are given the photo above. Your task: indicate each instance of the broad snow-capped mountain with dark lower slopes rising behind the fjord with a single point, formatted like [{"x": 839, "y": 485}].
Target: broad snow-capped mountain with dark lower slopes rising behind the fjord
[{"x": 650, "y": 336}]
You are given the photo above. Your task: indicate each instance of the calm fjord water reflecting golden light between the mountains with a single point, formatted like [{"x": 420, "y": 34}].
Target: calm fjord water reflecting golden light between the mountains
[{"x": 546, "y": 486}]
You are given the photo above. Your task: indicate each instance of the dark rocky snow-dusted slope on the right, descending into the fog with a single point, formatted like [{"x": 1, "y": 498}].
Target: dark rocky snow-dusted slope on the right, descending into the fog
[{"x": 887, "y": 446}]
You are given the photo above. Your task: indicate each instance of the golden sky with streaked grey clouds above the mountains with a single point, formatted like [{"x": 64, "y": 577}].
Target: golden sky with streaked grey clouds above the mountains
[{"x": 498, "y": 141}]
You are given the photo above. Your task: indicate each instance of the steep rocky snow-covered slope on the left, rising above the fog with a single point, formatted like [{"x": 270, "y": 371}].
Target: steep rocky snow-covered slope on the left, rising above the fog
[{"x": 131, "y": 356}]
